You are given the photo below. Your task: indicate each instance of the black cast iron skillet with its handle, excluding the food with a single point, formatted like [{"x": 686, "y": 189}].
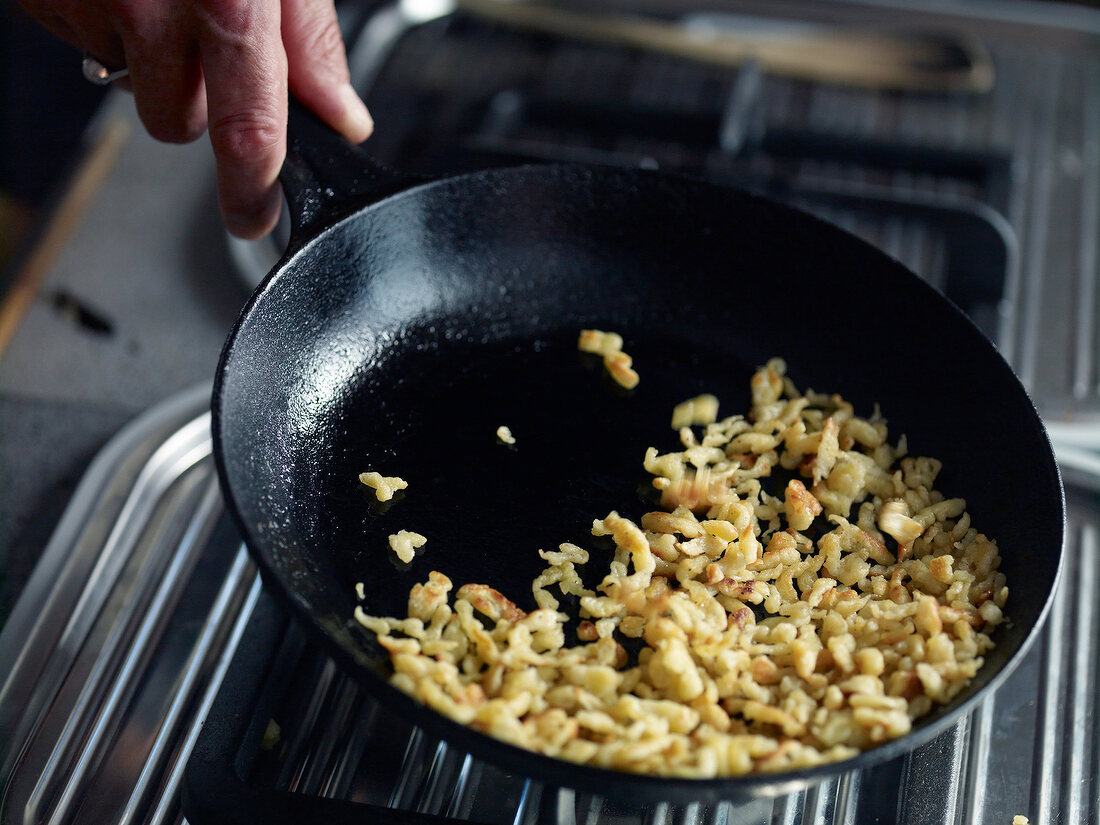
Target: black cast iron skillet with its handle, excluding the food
[{"x": 410, "y": 320}]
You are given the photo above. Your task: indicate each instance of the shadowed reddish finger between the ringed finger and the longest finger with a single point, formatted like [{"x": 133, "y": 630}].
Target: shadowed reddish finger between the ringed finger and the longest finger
[{"x": 166, "y": 76}]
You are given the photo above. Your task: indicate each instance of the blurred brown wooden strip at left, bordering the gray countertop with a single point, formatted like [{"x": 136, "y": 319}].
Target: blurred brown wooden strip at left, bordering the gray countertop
[{"x": 61, "y": 227}]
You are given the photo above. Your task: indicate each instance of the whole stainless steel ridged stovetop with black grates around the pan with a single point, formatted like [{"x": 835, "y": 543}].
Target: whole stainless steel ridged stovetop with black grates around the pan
[{"x": 146, "y": 615}]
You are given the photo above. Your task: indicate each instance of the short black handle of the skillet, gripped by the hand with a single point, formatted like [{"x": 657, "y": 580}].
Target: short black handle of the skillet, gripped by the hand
[{"x": 327, "y": 179}]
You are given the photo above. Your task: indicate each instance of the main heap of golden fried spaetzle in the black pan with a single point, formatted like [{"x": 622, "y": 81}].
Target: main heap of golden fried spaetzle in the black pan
[{"x": 804, "y": 593}]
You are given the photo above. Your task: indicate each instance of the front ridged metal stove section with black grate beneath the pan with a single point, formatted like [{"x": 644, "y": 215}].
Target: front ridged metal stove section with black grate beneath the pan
[{"x": 147, "y": 666}]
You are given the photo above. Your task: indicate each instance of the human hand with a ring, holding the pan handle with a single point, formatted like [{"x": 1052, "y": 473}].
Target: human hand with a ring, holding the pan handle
[{"x": 223, "y": 67}]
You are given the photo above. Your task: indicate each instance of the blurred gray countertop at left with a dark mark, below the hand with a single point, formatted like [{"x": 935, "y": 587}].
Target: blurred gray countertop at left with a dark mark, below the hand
[{"x": 149, "y": 258}]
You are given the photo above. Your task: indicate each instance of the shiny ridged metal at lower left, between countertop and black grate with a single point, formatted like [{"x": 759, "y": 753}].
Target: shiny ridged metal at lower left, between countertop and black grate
[{"x": 107, "y": 676}]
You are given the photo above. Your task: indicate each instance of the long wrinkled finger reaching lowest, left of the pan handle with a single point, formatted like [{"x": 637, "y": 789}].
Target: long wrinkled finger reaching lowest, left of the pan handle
[{"x": 245, "y": 68}]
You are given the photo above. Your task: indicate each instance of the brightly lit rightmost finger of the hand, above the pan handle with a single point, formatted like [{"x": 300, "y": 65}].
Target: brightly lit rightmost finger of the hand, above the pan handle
[{"x": 318, "y": 68}]
